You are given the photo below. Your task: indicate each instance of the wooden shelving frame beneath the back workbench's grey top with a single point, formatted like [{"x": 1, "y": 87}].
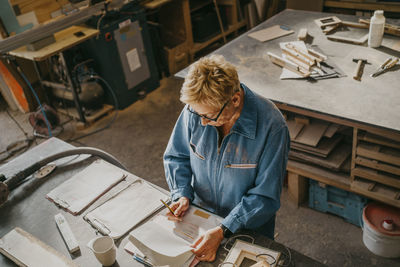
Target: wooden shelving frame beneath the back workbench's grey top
[{"x": 375, "y": 163}]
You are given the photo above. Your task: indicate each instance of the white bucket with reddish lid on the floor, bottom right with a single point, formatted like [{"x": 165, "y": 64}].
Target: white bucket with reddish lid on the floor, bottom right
[{"x": 381, "y": 233}]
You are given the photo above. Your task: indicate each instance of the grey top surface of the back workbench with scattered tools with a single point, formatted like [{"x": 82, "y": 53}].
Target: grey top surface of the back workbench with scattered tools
[{"x": 373, "y": 101}]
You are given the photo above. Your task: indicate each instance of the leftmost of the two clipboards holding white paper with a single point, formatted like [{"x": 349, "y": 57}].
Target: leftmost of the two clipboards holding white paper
[{"x": 78, "y": 192}]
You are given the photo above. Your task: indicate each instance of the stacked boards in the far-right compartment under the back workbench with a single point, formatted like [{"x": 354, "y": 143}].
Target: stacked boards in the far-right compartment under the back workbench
[{"x": 376, "y": 167}]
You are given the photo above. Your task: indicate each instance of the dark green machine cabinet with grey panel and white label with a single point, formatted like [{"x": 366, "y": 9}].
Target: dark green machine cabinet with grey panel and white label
[{"x": 123, "y": 54}]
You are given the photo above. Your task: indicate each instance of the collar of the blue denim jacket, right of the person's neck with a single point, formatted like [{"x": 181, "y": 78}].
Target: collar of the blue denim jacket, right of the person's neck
[{"x": 246, "y": 124}]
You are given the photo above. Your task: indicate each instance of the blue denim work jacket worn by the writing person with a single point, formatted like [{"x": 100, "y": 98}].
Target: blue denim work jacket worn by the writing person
[{"x": 242, "y": 179}]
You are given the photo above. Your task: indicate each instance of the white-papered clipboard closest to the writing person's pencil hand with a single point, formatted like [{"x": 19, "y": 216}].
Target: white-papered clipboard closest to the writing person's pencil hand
[{"x": 126, "y": 209}]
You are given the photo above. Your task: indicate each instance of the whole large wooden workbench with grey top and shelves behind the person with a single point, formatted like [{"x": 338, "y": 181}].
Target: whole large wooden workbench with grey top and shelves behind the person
[{"x": 371, "y": 106}]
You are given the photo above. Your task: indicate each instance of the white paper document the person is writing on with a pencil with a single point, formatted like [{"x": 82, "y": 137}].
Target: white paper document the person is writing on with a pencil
[{"x": 167, "y": 242}]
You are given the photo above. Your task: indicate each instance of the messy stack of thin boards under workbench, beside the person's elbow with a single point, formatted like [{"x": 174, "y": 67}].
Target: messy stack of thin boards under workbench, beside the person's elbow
[{"x": 319, "y": 143}]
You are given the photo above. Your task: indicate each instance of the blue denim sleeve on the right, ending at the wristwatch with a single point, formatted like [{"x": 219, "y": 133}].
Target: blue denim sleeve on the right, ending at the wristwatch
[{"x": 263, "y": 200}]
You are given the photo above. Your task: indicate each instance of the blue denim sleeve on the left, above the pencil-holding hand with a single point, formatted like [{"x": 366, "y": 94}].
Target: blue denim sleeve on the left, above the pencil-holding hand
[{"x": 177, "y": 160}]
